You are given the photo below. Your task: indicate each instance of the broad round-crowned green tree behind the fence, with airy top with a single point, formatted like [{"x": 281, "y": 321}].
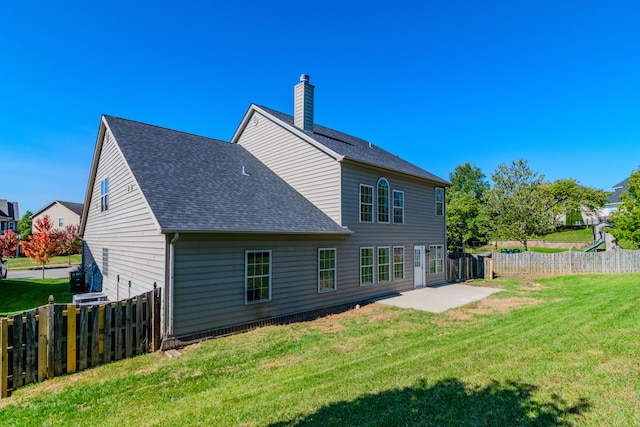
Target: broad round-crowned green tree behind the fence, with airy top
[{"x": 515, "y": 207}]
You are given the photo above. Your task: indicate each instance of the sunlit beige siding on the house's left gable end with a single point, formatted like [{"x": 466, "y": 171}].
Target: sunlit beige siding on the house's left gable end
[{"x": 127, "y": 229}]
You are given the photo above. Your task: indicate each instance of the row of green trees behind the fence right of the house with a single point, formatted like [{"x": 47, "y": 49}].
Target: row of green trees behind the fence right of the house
[{"x": 521, "y": 204}]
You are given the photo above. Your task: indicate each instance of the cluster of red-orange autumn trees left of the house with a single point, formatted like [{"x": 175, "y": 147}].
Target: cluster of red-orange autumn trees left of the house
[{"x": 43, "y": 243}]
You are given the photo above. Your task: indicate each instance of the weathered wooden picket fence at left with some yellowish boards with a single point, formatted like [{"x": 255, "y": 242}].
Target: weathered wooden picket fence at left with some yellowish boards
[{"x": 57, "y": 339}]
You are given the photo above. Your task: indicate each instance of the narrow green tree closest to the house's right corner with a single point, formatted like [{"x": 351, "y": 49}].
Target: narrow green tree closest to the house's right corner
[{"x": 464, "y": 200}]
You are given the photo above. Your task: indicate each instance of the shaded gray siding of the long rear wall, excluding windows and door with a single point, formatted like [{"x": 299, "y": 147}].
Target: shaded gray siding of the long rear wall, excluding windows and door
[{"x": 209, "y": 289}]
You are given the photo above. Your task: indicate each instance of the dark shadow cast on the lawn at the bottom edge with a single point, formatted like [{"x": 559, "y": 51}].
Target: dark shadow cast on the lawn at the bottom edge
[{"x": 448, "y": 403}]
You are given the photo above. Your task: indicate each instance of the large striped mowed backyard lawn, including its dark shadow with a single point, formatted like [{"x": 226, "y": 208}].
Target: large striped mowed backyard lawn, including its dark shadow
[{"x": 556, "y": 351}]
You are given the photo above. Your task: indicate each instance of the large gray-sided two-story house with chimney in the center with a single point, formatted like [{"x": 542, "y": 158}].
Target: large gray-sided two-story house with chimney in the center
[{"x": 290, "y": 217}]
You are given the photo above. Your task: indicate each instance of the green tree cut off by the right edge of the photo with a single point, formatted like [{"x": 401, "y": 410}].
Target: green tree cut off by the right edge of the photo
[{"x": 627, "y": 217}]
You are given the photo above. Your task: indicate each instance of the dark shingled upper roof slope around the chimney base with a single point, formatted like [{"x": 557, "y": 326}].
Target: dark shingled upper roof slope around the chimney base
[{"x": 357, "y": 149}]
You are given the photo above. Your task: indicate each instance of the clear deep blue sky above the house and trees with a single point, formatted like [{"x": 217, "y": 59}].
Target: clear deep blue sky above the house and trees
[{"x": 439, "y": 83}]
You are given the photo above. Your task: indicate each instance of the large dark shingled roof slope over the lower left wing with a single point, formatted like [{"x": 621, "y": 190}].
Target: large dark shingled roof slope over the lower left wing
[{"x": 194, "y": 183}]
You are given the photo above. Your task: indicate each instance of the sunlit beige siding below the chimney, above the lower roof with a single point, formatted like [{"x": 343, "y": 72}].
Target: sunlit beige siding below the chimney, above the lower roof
[{"x": 311, "y": 172}]
